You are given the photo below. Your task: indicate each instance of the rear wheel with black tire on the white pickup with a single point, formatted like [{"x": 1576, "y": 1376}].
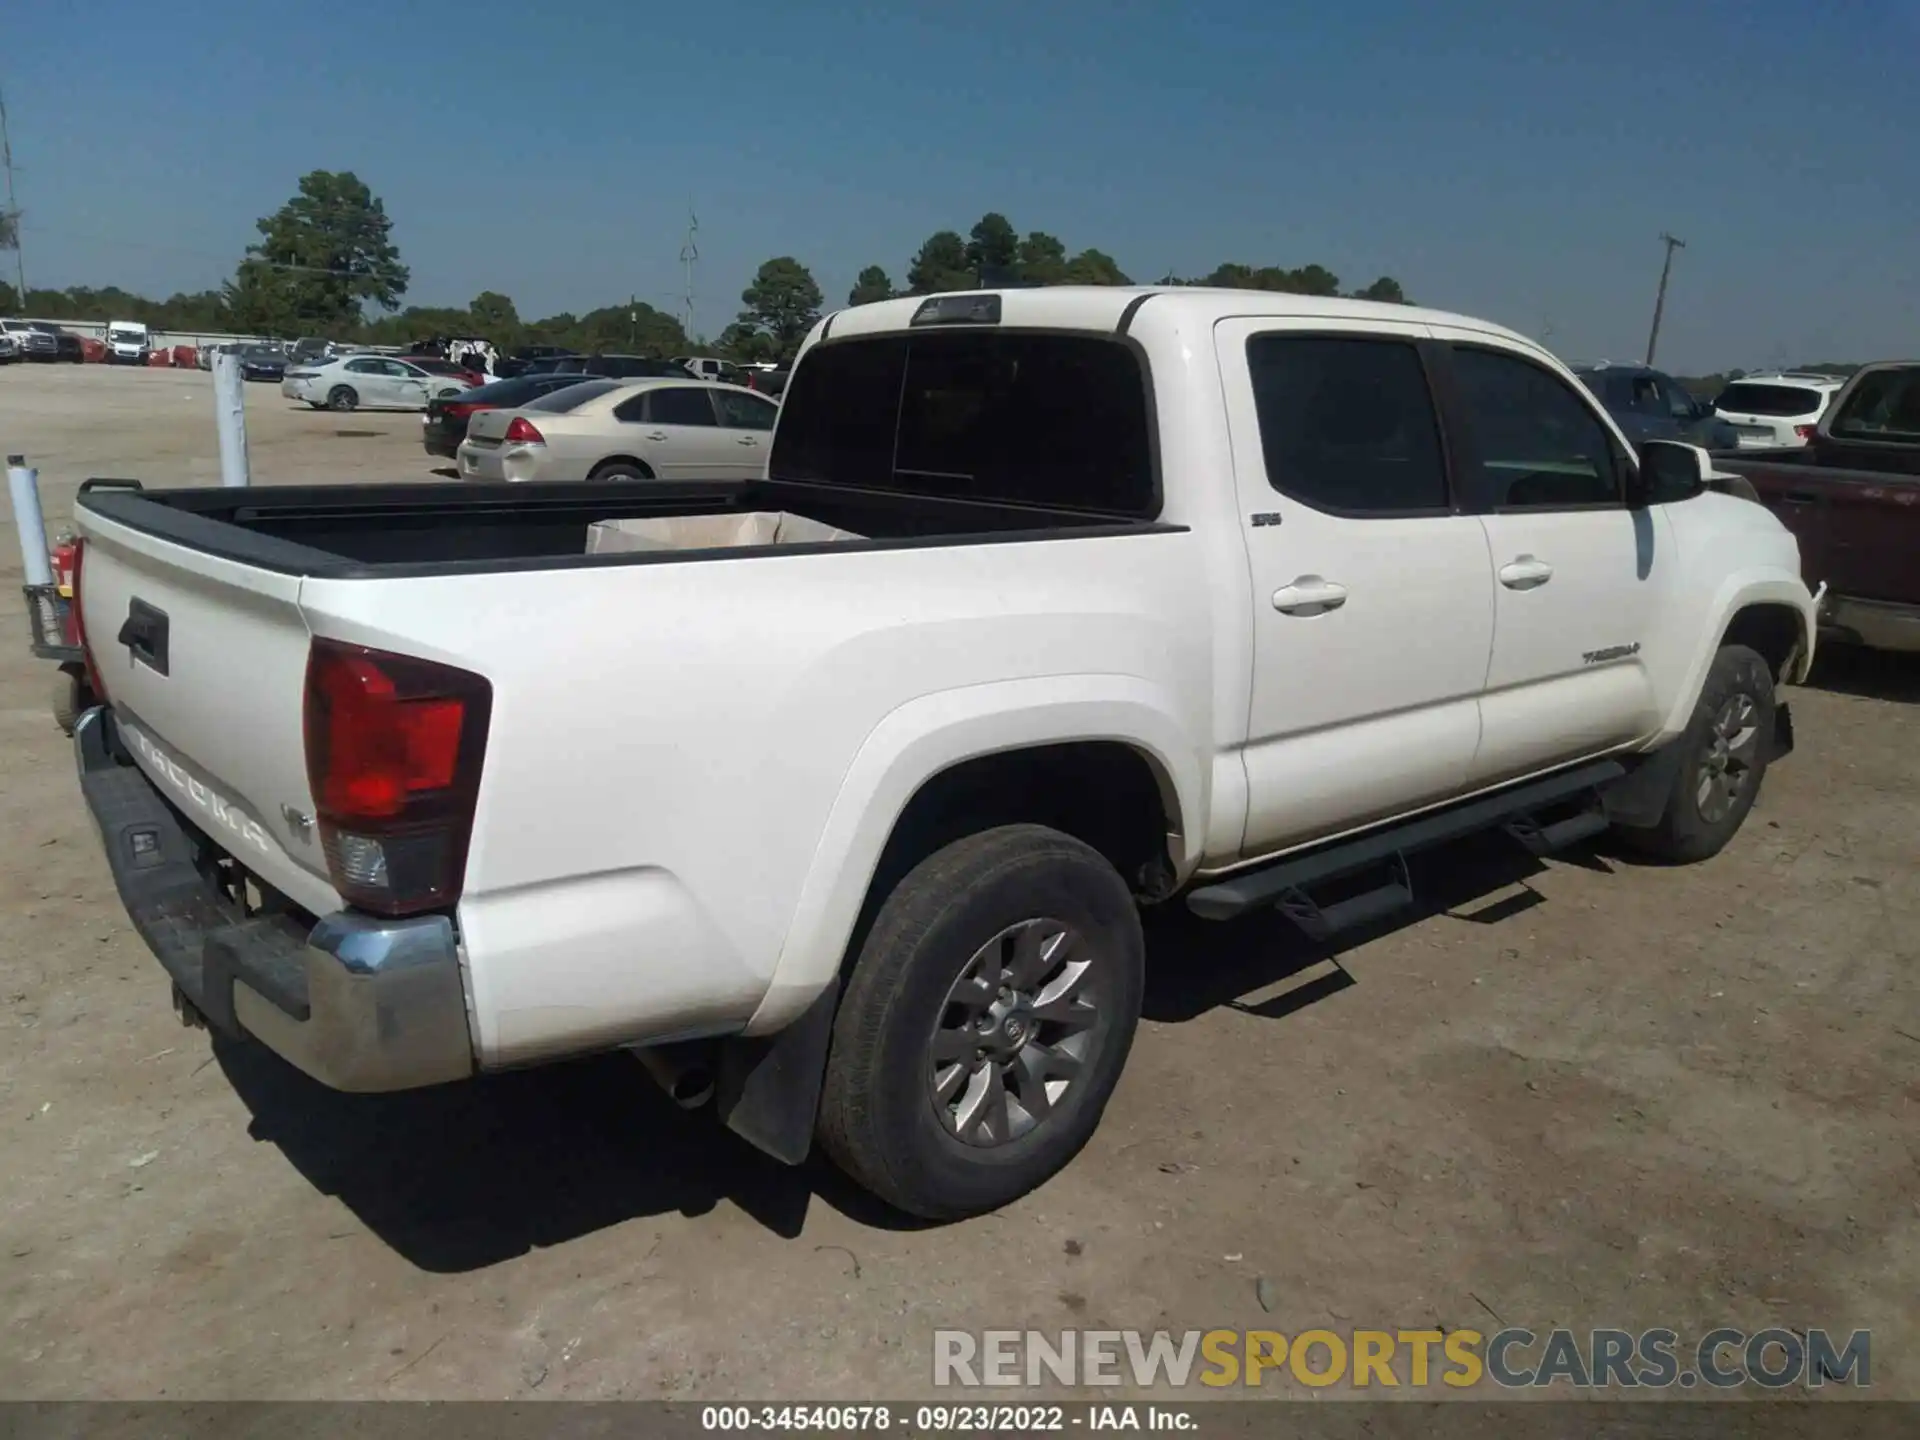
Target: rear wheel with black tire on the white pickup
[{"x": 880, "y": 1115}]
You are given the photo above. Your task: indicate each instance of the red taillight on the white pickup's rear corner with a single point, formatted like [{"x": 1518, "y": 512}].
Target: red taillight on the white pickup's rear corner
[{"x": 395, "y": 752}]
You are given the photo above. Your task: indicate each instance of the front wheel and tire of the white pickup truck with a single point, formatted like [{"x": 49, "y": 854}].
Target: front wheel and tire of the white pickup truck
[{"x": 1719, "y": 773}]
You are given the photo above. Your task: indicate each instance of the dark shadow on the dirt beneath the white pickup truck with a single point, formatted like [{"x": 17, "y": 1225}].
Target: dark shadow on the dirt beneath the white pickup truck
[{"x": 468, "y": 1176}]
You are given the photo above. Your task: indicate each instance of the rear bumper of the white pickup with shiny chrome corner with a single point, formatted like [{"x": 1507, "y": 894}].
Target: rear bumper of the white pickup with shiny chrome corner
[{"x": 356, "y": 1001}]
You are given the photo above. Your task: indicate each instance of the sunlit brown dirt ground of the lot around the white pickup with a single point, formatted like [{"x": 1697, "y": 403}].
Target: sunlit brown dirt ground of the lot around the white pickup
[{"x": 1583, "y": 1093}]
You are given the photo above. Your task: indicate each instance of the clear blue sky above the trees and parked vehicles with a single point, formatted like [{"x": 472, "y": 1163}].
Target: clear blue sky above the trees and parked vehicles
[{"x": 1504, "y": 160}]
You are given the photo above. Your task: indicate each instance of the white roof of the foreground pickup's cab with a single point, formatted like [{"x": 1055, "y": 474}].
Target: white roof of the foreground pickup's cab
[{"x": 1103, "y": 308}]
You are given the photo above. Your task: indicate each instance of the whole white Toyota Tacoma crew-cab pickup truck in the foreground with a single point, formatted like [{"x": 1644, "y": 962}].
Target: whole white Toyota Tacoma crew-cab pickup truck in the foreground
[{"x": 1145, "y": 596}]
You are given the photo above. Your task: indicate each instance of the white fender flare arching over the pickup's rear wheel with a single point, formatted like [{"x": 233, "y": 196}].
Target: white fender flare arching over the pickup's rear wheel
[{"x": 932, "y": 734}]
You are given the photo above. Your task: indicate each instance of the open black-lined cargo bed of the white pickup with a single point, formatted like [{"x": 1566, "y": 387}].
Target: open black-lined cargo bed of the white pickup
[{"x": 345, "y": 533}]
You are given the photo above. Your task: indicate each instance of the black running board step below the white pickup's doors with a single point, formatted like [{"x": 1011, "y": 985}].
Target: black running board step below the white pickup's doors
[{"x": 1255, "y": 890}]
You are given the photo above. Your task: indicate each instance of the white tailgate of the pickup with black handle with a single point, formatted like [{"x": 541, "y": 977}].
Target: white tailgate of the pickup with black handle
[{"x": 204, "y": 663}]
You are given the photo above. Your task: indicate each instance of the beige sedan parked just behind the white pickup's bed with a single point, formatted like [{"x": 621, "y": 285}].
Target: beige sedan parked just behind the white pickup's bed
[{"x": 625, "y": 431}]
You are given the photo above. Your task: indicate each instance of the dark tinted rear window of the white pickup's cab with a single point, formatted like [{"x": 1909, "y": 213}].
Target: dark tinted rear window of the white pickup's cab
[{"x": 1045, "y": 418}]
